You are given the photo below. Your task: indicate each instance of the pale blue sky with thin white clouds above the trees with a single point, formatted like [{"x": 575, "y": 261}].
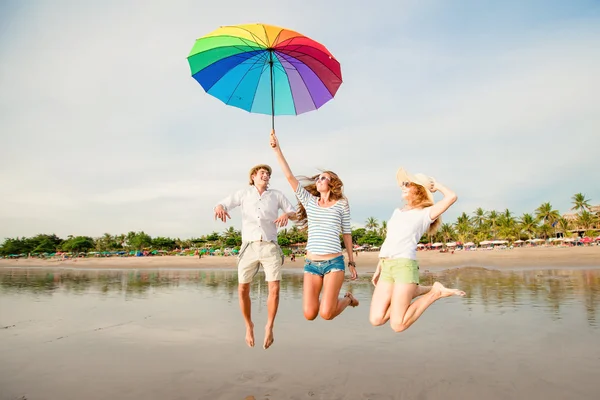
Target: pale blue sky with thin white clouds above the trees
[{"x": 102, "y": 128}]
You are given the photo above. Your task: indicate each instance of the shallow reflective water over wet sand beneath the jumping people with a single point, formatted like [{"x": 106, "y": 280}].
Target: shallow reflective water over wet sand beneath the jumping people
[{"x": 169, "y": 334}]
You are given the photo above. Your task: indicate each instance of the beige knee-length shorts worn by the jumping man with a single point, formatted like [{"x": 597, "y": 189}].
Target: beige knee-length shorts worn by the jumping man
[{"x": 253, "y": 255}]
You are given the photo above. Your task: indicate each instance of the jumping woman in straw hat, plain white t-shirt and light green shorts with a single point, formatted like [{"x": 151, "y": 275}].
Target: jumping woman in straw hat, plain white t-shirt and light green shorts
[{"x": 396, "y": 279}]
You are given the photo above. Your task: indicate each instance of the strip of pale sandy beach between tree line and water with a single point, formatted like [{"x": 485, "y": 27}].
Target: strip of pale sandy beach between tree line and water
[{"x": 564, "y": 257}]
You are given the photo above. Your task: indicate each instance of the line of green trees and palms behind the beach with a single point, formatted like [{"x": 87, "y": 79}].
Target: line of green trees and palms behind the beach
[{"x": 544, "y": 222}]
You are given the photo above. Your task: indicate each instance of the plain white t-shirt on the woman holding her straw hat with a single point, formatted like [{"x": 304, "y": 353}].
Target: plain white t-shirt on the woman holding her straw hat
[{"x": 404, "y": 230}]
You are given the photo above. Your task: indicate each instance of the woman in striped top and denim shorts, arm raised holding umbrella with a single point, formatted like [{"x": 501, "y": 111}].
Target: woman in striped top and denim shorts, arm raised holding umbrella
[{"x": 325, "y": 210}]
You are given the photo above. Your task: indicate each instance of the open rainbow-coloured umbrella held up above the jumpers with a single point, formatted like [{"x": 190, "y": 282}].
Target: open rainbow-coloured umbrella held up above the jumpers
[{"x": 265, "y": 69}]
